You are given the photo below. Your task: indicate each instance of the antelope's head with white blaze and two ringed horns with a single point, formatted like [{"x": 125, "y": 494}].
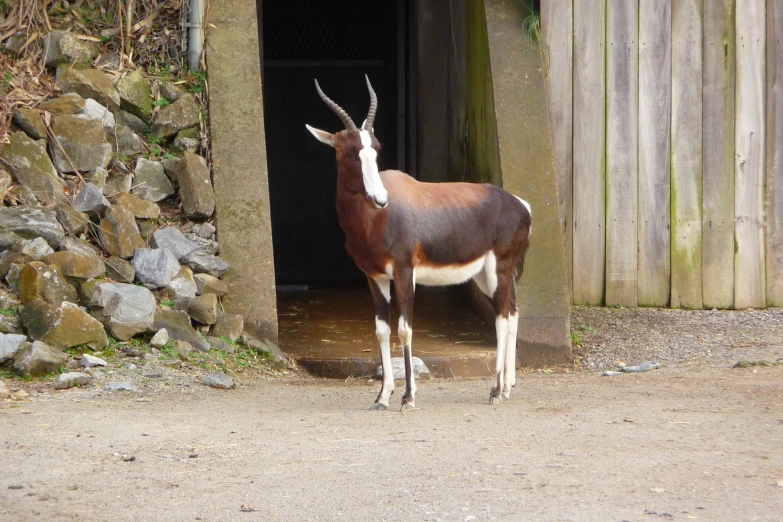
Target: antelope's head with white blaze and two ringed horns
[{"x": 357, "y": 149}]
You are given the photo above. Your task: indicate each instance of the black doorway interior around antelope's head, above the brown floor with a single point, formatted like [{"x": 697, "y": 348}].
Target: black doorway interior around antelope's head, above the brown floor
[{"x": 336, "y": 42}]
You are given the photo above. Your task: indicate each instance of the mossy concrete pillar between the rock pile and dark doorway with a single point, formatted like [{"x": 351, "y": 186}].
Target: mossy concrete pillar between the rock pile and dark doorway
[{"x": 239, "y": 164}]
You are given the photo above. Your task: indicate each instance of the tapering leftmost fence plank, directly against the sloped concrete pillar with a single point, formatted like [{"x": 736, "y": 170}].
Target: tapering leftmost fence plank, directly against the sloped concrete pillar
[{"x": 557, "y": 28}]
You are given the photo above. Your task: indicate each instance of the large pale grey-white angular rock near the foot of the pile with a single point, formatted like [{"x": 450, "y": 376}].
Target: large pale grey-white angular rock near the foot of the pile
[{"x": 130, "y": 308}]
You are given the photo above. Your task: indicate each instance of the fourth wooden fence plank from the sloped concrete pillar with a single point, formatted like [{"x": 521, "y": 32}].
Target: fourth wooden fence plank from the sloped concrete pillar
[{"x": 654, "y": 151}]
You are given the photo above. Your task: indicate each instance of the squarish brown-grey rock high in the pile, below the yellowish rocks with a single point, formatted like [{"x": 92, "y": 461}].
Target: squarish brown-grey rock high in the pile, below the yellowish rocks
[{"x": 83, "y": 140}]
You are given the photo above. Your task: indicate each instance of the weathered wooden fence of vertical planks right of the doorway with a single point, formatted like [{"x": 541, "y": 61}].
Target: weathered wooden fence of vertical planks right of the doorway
[{"x": 667, "y": 120}]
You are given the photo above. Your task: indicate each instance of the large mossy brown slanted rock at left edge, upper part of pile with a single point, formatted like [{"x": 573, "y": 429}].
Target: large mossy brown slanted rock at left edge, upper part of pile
[{"x": 30, "y": 166}]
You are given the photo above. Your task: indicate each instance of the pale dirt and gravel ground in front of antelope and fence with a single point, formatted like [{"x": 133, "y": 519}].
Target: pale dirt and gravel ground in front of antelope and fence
[{"x": 693, "y": 440}]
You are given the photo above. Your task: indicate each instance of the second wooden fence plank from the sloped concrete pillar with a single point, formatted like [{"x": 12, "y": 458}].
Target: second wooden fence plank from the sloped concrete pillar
[{"x": 589, "y": 151}]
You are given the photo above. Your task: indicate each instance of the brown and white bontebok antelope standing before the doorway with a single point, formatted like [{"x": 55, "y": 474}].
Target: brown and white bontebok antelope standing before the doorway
[{"x": 397, "y": 228}]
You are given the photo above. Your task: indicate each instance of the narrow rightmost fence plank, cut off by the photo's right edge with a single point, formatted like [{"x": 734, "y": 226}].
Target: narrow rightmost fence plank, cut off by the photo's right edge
[{"x": 774, "y": 153}]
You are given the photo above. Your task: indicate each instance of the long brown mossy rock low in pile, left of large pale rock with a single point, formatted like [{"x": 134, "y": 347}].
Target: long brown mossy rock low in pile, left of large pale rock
[{"x": 62, "y": 327}]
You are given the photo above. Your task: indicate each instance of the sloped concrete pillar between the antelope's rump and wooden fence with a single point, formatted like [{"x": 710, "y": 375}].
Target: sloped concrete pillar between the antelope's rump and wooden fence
[{"x": 526, "y": 162}]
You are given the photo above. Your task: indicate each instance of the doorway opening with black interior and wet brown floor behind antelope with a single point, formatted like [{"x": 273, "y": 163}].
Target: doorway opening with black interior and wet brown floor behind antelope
[{"x": 324, "y": 304}]
